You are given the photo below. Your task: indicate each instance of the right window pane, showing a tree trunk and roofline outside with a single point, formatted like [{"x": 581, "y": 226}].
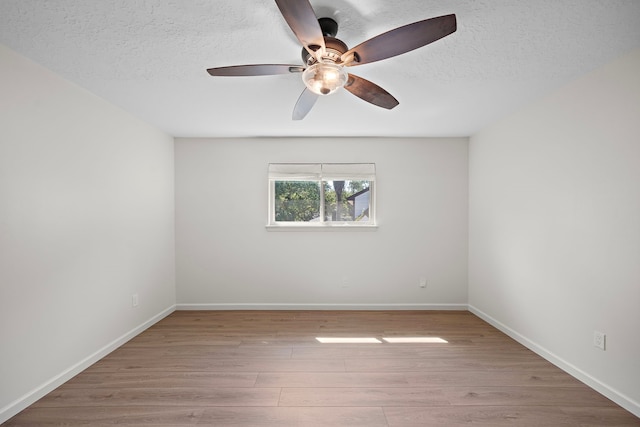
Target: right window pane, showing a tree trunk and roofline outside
[{"x": 347, "y": 200}]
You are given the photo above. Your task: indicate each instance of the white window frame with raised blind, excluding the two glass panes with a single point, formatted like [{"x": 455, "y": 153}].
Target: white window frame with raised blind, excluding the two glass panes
[{"x": 320, "y": 172}]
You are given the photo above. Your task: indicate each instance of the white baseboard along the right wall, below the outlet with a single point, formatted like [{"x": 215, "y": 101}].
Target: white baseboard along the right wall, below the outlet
[{"x": 621, "y": 399}]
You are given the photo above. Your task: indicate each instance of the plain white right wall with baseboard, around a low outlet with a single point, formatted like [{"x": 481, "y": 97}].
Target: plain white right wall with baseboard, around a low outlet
[{"x": 554, "y": 249}]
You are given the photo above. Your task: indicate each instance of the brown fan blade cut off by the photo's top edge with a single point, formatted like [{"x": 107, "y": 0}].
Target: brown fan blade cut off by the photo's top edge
[{"x": 303, "y": 21}]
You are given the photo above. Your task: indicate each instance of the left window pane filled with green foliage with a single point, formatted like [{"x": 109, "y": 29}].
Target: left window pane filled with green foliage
[{"x": 297, "y": 201}]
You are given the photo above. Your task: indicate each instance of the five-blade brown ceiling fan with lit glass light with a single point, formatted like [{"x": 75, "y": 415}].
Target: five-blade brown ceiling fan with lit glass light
[{"x": 325, "y": 57}]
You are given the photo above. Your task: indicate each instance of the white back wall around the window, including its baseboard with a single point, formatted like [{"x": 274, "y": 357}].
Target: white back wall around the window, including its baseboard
[{"x": 226, "y": 258}]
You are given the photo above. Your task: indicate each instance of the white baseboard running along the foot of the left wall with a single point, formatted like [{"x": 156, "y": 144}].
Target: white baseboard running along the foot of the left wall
[{"x": 31, "y": 397}]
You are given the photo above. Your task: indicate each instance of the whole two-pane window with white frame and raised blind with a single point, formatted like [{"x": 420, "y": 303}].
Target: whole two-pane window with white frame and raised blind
[{"x": 321, "y": 194}]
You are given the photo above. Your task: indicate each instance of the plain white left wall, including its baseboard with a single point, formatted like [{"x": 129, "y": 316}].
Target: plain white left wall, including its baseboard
[{"x": 86, "y": 220}]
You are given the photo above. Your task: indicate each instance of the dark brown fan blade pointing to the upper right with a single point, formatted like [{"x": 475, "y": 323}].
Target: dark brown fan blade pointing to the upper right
[{"x": 401, "y": 40}]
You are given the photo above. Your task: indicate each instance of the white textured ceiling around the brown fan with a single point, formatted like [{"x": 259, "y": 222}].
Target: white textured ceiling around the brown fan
[{"x": 149, "y": 57}]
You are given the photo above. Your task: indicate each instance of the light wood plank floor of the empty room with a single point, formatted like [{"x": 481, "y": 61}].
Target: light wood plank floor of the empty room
[{"x": 259, "y": 368}]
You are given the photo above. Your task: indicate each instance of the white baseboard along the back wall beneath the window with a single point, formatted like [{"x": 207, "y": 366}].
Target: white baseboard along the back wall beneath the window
[{"x": 304, "y": 306}]
